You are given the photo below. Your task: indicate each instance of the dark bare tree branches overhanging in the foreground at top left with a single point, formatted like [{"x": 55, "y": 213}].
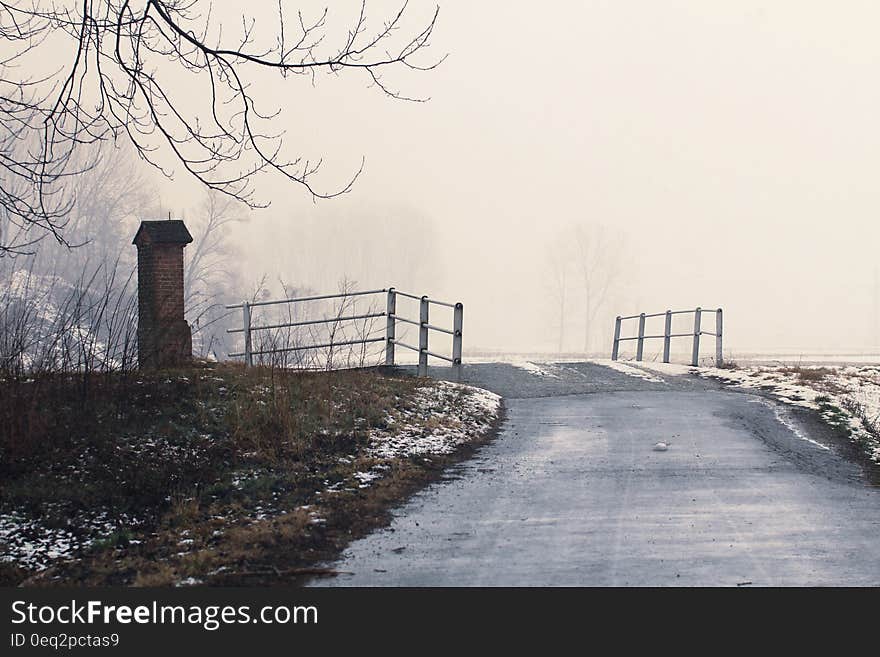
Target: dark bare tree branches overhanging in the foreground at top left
[{"x": 131, "y": 69}]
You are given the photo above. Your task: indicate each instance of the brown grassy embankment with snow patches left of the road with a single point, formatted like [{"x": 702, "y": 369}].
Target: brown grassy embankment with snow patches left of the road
[{"x": 214, "y": 474}]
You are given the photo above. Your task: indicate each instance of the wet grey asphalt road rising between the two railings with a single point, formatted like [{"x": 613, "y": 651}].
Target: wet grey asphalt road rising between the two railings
[{"x": 572, "y": 493}]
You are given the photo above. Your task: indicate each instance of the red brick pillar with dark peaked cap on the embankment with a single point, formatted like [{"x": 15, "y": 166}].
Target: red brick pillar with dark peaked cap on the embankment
[{"x": 164, "y": 337}]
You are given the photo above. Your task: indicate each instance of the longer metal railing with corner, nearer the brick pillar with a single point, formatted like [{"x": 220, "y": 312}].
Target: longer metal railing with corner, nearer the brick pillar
[{"x": 390, "y": 338}]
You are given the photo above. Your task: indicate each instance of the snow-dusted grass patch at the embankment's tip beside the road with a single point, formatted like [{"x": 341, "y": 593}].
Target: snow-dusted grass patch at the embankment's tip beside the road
[{"x": 443, "y": 416}]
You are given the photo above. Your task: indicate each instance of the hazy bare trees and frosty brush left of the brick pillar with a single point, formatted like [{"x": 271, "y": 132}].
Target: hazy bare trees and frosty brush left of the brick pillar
[{"x": 65, "y": 310}]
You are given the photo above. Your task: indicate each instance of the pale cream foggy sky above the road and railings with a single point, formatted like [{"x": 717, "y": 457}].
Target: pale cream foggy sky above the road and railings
[{"x": 734, "y": 145}]
